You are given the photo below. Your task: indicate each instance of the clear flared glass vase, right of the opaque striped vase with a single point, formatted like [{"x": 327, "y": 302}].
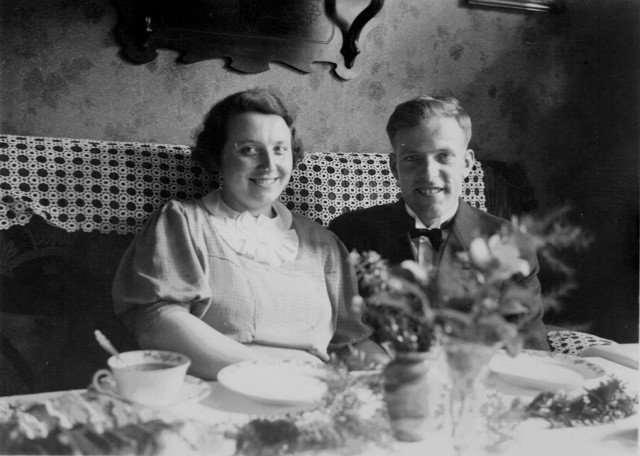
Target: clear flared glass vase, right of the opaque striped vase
[{"x": 468, "y": 364}]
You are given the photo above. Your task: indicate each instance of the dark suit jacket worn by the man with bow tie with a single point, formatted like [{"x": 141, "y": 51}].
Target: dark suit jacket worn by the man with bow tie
[{"x": 385, "y": 229}]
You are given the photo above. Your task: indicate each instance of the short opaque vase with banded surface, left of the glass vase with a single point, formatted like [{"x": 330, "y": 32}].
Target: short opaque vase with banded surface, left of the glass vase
[{"x": 413, "y": 401}]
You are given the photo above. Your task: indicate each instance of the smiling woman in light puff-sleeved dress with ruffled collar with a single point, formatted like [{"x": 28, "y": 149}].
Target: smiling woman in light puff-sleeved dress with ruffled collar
[{"x": 235, "y": 276}]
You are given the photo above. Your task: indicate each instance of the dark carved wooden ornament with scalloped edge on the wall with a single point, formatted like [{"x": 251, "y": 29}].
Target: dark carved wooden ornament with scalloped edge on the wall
[{"x": 250, "y": 33}]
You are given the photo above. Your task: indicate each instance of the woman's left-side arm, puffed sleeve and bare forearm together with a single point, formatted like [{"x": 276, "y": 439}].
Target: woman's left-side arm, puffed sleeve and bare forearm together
[{"x": 162, "y": 288}]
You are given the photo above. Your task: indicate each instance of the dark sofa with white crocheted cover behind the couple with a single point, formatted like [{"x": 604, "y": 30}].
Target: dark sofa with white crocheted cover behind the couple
[{"x": 70, "y": 207}]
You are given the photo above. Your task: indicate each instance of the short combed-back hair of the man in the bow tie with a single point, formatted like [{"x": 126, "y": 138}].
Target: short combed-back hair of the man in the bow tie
[{"x": 421, "y": 109}]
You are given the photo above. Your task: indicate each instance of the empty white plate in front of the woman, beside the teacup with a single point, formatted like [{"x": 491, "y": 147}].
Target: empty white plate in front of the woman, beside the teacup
[{"x": 279, "y": 382}]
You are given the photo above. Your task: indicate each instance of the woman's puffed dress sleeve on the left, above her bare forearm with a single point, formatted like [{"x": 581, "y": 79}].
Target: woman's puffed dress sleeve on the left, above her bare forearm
[{"x": 163, "y": 270}]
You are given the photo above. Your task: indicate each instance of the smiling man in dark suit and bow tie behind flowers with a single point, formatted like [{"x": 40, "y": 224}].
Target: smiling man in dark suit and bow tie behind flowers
[{"x": 430, "y": 160}]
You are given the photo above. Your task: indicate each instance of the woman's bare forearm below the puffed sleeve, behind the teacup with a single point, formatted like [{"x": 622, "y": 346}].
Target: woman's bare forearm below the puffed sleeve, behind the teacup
[{"x": 208, "y": 349}]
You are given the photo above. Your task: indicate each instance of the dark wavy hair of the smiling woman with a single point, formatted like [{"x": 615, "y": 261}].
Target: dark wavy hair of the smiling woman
[{"x": 213, "y": 134}]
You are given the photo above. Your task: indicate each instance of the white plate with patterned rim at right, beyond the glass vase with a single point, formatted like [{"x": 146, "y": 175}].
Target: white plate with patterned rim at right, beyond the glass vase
[{"x": 544, "y": 371}]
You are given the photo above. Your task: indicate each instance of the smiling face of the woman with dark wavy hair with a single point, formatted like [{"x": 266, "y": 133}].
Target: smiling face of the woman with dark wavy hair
[{"x": 257, "y": 160}]
